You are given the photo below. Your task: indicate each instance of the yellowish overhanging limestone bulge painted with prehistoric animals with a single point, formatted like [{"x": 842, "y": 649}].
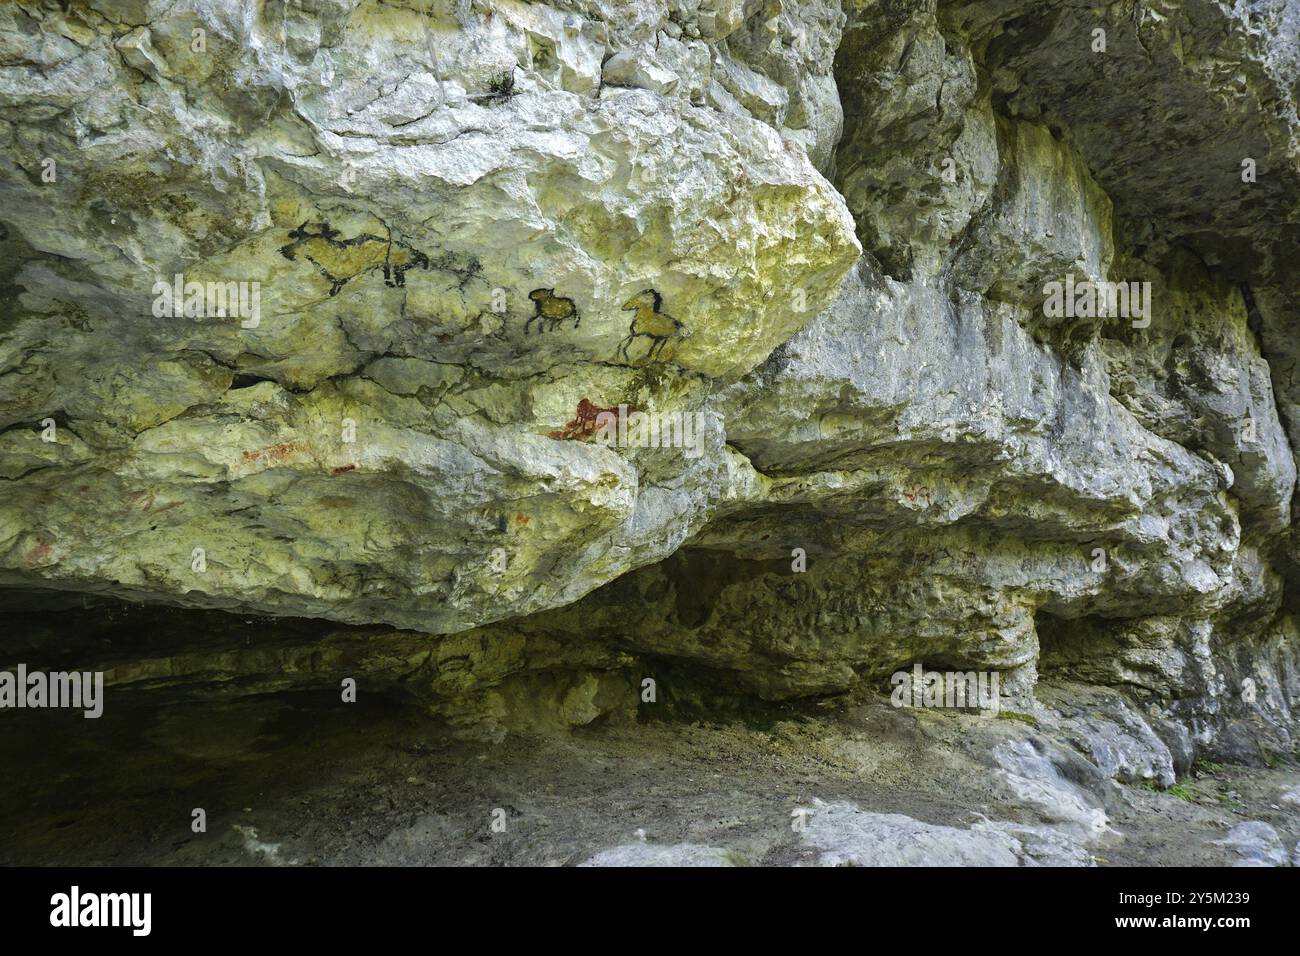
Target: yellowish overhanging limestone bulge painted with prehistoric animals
[{"x": 457, "y": 232}]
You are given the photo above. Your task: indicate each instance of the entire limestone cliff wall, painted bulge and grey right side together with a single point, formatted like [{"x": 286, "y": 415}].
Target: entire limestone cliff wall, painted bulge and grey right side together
[{"x": 470, "y": 250}]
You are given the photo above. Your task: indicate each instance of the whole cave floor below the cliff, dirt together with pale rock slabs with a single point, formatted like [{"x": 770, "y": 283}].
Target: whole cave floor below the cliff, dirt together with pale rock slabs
[{"x": 300, "y": 778}]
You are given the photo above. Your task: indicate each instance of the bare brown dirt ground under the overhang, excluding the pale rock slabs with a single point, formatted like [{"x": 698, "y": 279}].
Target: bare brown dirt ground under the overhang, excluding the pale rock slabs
[{"x": 297, "y": 780}]
